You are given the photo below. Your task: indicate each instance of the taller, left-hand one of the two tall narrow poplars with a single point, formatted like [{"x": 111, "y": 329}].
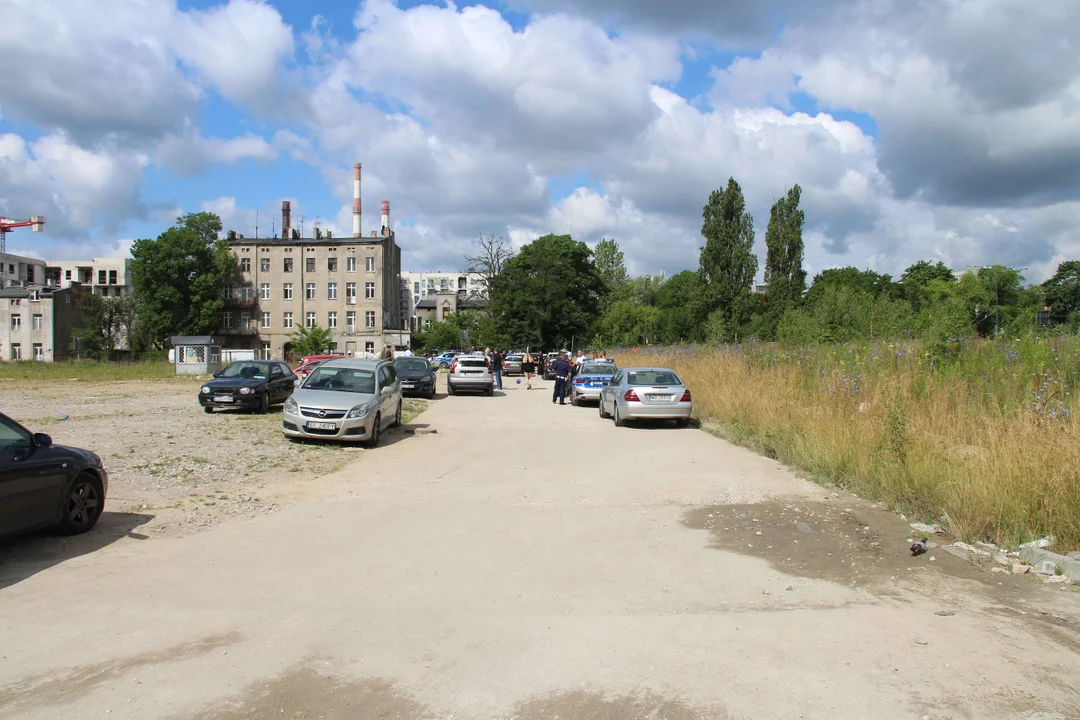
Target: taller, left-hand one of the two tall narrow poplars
[{"x": 728, "y": 264}]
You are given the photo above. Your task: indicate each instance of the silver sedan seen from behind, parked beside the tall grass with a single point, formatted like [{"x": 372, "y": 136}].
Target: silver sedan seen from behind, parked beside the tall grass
[{"x": 646, "y": 393}]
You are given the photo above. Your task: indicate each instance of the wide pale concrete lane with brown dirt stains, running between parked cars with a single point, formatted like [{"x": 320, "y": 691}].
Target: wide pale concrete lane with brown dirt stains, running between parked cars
[{"x": 534, "y": 562}]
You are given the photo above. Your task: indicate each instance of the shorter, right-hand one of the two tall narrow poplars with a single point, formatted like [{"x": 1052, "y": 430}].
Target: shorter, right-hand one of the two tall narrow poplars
[{"x": 785, "y": 276}]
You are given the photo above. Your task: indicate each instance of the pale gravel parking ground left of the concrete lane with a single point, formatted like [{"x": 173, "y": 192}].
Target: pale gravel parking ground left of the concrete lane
[{"x": 174, "y": 470}]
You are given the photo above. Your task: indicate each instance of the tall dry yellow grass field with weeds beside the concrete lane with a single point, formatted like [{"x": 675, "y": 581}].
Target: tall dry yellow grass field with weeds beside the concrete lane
[{"x": 985, "y": 442}]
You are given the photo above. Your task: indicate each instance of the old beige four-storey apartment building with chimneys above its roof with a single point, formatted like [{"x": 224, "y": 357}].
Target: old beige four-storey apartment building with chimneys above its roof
[{"x": 350, "y": 286}]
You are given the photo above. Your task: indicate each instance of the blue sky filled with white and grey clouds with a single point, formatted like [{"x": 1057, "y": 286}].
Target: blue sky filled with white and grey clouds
[{"x": 939, "y": 130}]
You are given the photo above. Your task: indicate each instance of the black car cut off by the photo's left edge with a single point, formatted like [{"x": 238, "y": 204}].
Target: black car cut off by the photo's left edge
[{"x": 47, "y": 486}]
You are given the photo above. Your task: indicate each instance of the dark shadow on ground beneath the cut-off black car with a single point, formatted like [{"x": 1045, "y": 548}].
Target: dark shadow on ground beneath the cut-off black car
[{"x": 24, "y": 558}]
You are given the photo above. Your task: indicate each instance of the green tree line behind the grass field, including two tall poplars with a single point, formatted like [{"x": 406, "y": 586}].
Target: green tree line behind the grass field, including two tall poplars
[{"x": 557, "y": 292}]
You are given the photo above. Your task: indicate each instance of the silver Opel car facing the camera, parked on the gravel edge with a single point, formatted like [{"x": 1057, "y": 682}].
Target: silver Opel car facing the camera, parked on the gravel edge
[{"x": 345, "y": 400}]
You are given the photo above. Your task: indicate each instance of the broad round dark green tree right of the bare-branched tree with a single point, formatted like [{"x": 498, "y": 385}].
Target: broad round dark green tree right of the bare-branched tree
[{"x": 549, "y": 294}]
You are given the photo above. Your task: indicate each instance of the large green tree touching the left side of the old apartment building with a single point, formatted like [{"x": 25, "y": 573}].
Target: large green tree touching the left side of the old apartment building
[{"x": 180, "y": 278}]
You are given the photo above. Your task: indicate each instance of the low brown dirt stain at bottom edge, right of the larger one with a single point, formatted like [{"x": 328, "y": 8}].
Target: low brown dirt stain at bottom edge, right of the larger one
[{"x": 582, "y": 705}]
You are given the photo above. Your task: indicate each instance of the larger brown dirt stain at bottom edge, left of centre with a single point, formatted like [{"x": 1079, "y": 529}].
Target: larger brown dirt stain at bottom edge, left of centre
[{"x": 305, "y": 692}]
